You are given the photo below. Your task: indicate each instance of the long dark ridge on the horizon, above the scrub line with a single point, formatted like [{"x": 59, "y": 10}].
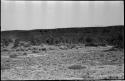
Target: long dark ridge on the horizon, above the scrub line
[{"x": 111, "y": 34}]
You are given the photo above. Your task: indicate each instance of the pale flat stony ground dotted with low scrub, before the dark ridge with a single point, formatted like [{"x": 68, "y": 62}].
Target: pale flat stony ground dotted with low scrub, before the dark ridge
[{"x": 83, "y": 63}]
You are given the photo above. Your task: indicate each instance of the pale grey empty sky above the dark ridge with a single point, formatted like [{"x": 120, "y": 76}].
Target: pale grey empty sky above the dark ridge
[{"x": 28, "y": 15}]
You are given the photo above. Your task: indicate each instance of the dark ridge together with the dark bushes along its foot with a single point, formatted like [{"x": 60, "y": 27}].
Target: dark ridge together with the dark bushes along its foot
[{"x": 90, "y": 36}]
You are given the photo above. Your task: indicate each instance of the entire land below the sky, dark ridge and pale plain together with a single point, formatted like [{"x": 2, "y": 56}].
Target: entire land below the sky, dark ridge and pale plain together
[{"x": 91, "y": 53}]
